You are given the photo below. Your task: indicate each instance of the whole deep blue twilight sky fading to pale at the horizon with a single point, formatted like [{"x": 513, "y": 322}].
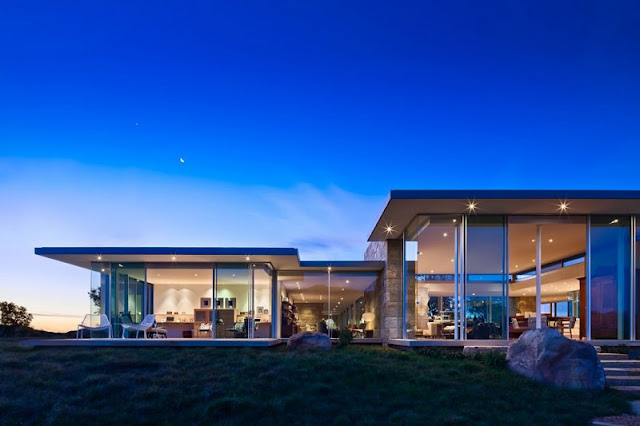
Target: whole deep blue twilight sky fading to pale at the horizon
[{"x": 294, "y": 119}]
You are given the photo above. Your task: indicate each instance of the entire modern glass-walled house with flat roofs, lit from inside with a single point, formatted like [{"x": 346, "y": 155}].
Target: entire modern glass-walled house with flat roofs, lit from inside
[{"x": 442, "y": 267}]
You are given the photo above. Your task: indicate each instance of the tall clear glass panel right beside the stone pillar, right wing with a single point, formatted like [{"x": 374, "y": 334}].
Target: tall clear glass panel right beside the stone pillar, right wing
[{"x": 431, "y": 262}]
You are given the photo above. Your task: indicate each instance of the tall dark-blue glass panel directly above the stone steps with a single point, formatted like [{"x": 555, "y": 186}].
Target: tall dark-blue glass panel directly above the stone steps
[{"x": 610, "y": 238}]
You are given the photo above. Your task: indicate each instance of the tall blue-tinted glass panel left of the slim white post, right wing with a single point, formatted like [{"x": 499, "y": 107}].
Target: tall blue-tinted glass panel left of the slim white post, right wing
[{"x": 485, "y": 278}]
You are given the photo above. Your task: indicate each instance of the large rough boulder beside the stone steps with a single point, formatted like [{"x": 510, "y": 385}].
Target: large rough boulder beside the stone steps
[{"x": 545, "y": 355}]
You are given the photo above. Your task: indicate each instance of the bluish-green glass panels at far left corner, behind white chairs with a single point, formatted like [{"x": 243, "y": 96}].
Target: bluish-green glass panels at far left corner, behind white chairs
[{"x": 127, "y": 294}]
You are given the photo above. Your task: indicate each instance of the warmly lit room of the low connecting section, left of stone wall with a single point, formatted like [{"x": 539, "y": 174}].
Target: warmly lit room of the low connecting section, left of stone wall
[{"x": 310, "y": 304}]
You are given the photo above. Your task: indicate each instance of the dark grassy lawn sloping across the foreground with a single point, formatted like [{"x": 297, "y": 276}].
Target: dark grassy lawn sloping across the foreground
[{"x": 354, "y": 385}]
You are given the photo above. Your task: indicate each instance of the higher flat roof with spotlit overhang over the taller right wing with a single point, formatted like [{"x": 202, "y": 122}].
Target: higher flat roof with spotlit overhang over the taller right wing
[{"x": 403, "y": 205}]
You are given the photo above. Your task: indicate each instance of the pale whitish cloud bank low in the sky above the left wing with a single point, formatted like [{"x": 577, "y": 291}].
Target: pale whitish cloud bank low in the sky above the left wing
[{"x": 63, "y": 203}]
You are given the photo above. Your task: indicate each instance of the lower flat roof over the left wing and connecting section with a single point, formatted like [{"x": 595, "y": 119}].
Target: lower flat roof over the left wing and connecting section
[{"x": 280, "y": 258}]
